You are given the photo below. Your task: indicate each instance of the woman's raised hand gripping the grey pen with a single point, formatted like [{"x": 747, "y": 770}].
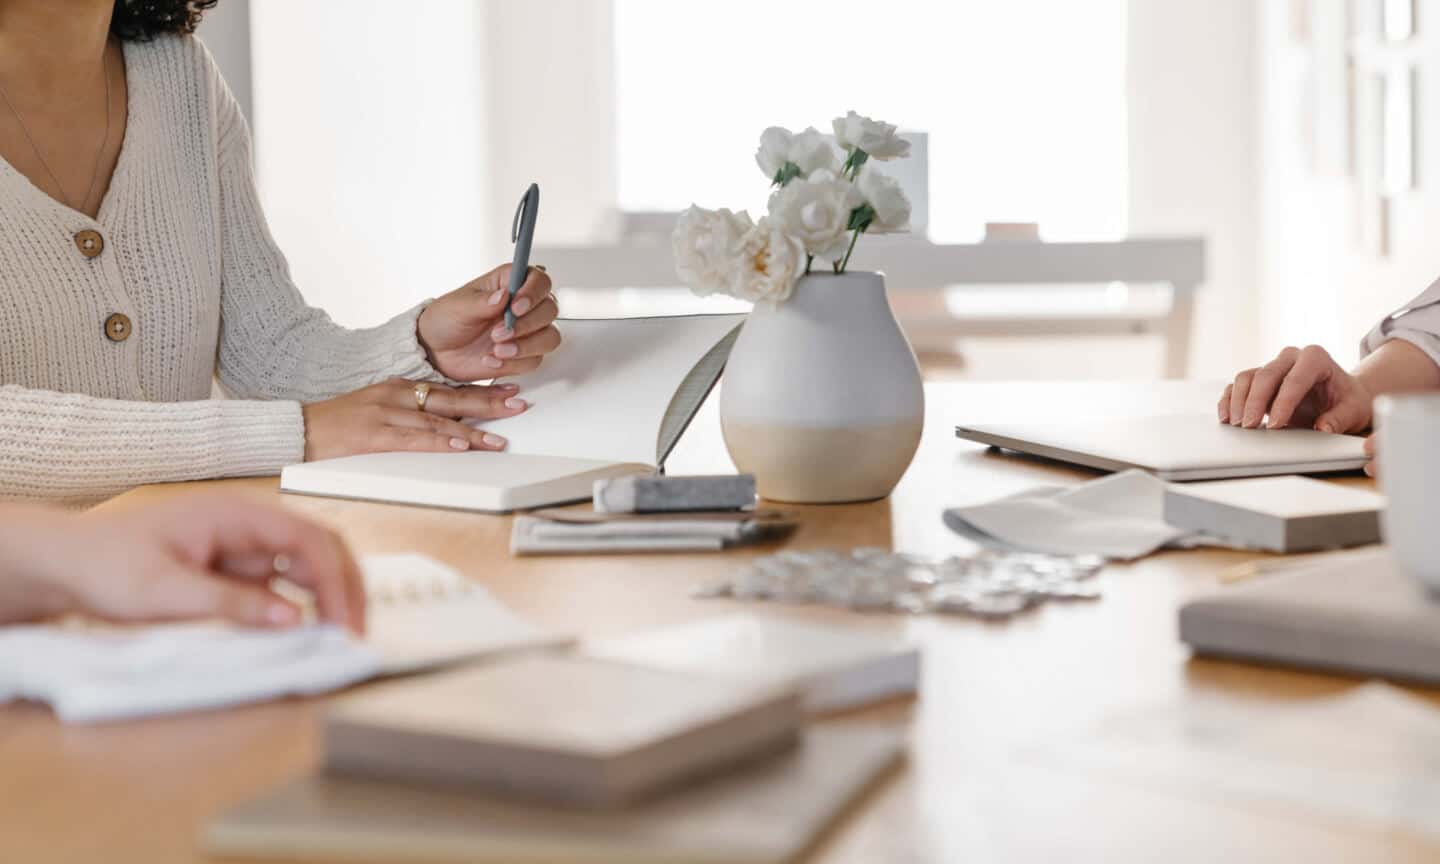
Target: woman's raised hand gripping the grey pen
[{"x": 464, "y": 333}]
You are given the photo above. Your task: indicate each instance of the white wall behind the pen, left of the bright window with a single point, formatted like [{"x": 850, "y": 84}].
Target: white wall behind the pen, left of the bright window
[{"x": 395, "y": 140}]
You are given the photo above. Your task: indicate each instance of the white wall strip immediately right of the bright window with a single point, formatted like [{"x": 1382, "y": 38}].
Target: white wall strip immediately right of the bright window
[{"x": 1193, "y": 119}]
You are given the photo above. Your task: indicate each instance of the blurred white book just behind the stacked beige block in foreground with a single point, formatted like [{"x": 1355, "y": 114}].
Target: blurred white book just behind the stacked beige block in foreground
[{"x": 834, "y": 667}]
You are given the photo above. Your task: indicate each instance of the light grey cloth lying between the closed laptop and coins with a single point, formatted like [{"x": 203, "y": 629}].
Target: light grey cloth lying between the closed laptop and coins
[{"x": 1121, "y": 516}]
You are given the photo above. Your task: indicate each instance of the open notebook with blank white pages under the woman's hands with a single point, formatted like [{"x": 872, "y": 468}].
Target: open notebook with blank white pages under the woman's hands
[{"x": 611, "y": 401}]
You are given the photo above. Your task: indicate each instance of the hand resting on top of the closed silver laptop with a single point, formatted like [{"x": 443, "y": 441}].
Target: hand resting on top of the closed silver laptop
[{"x": 1302, "y": 388}]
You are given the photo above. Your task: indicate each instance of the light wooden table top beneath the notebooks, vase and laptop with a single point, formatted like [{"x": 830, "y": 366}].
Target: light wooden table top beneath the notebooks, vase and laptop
[{"x": 140, "y": 793}]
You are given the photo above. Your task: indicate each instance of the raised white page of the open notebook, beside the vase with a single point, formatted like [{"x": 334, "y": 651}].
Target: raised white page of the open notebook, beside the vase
[{"x": 603, "y": 395}]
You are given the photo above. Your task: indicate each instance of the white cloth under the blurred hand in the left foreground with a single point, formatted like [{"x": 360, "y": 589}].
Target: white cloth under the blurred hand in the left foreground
[{"x": 90, "y": 676}]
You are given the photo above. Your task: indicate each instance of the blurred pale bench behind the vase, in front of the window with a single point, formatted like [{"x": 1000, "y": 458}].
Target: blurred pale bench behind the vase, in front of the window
[{"x": 945, "y": 292}]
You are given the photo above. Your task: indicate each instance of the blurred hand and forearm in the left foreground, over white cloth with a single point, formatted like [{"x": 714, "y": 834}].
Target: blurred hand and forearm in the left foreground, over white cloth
[{"x": 201, "y": 557}]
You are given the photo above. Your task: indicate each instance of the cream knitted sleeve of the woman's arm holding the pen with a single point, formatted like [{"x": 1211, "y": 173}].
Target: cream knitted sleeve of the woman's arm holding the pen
[{"x": 273, "y": 345}]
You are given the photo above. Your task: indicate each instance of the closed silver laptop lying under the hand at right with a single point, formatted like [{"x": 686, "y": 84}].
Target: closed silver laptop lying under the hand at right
[{"x": 1177, "y": 447}]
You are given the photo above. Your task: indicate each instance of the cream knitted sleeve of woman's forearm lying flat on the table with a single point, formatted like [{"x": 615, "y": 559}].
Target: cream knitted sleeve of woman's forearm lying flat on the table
[{"x": 78, "y": 450}]
